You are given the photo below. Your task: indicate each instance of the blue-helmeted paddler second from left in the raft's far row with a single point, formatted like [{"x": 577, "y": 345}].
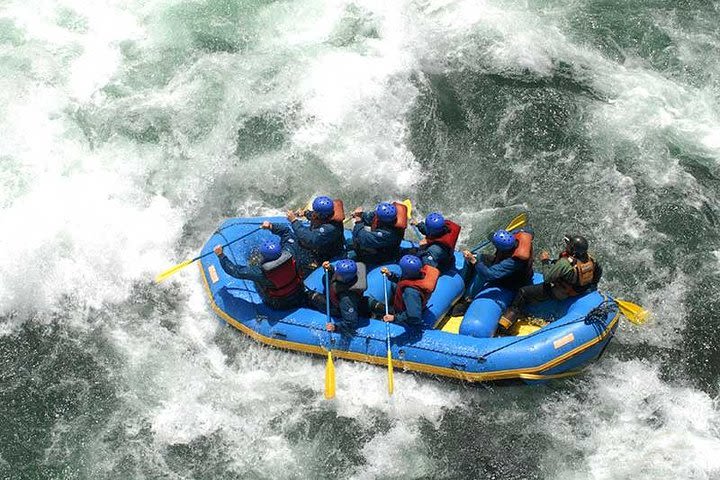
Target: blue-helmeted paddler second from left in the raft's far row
[{"x": 377, "y": 235}]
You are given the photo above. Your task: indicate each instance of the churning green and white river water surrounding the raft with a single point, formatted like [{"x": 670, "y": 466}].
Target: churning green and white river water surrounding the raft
[{"x": 129, "y": 130}]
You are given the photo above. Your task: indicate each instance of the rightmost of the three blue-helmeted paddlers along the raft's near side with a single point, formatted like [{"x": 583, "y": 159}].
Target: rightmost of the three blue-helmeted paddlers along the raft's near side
[{"x": 411, "y": 291}]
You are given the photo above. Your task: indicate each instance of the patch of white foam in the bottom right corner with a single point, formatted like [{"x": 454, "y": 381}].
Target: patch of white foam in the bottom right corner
[{"x": 632, "y": 424}]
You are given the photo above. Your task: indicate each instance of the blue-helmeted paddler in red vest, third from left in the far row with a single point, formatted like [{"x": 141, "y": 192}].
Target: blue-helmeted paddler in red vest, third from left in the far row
[{"x": 437, "y": 249}]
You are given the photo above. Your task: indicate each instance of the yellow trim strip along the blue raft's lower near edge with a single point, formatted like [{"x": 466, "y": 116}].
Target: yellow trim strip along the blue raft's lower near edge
[{"x": 533, "y": 373}]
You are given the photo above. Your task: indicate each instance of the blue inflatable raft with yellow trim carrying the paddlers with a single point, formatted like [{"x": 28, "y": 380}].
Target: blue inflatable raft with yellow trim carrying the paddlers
[{"x": 560, "y": 340}]
